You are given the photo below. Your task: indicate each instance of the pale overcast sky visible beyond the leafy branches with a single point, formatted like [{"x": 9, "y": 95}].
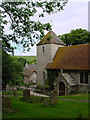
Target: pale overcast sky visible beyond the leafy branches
[{"x": 74, "y": 15}]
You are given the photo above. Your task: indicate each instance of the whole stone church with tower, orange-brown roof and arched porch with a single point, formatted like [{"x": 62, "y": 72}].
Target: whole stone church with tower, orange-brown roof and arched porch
[{"x": 72, "y": 63}]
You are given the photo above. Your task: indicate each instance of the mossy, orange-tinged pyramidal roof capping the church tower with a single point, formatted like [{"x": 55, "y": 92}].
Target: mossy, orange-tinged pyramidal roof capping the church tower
[{"x": 51, "y": 38}]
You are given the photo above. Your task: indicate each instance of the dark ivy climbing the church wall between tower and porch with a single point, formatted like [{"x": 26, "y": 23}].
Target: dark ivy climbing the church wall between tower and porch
[{"x": 52, "y": 74}]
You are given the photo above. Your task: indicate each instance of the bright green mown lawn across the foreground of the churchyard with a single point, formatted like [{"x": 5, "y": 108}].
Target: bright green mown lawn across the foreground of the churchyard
[{"x": 64, "y": 109}]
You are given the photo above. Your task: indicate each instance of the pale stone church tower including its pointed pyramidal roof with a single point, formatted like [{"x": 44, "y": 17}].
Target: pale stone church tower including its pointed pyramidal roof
[{"x": 46, "y": 50}]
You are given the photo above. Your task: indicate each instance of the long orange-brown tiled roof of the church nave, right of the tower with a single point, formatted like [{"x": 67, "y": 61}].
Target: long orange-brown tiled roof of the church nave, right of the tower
[{"x": 76, "y": 57}]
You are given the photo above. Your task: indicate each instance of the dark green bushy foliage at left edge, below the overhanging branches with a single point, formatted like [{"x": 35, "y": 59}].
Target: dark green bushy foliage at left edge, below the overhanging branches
[{"x": 12, "y": 70}]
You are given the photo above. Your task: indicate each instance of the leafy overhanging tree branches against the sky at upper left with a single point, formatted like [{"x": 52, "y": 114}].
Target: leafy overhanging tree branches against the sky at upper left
[{"x": 24, "y": 29}]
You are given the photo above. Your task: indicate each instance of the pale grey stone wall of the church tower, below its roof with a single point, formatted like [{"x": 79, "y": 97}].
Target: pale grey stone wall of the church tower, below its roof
[{"x": 44, "y": 58}]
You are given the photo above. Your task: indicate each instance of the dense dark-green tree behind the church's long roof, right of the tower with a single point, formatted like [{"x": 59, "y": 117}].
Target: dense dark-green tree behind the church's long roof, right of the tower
[{"x": 75, "y": 37}]
